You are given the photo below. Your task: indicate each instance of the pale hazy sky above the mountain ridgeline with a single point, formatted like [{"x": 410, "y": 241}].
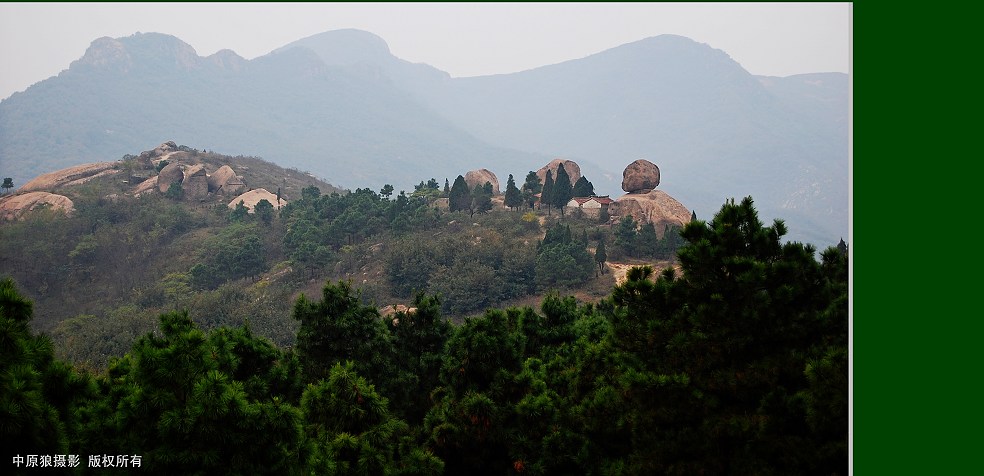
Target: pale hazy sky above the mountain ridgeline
[{"x": 38, "y": 40}]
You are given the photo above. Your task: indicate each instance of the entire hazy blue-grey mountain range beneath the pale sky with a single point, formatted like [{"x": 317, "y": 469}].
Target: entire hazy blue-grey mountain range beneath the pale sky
[{"x": 336, "y": 102}]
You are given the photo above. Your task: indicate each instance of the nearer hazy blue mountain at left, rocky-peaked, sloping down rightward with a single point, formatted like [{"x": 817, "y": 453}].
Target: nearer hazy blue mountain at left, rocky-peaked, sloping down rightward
[{"x": 289, "y": 107}]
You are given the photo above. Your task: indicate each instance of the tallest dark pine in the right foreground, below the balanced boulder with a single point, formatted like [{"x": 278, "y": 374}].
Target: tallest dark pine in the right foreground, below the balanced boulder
[{"x": 741, "y": 325}]
